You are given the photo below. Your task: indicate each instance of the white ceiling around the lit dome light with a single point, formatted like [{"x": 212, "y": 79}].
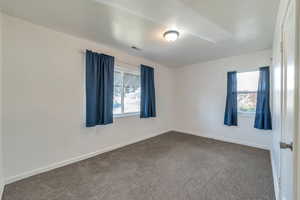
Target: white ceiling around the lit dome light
[{"x": 209, "y": 29}]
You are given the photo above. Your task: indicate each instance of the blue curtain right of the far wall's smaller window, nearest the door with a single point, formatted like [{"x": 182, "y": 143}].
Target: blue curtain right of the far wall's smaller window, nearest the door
[{"x": 263, "y": 118}]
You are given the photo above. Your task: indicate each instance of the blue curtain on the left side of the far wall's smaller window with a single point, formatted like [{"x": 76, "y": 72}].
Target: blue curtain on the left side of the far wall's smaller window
[{"x": 230, "y": 118}]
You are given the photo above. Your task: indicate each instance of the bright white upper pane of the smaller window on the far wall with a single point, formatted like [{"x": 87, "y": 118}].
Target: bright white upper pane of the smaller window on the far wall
[{"x": 247, "y": 81}]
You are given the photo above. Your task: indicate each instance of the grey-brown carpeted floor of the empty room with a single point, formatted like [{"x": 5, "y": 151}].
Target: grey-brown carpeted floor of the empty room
[{"x": 172, "y": 166}]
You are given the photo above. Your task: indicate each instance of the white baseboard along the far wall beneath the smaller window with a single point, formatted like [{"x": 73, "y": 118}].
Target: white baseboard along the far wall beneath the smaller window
[{"x": 226, "y": 139}]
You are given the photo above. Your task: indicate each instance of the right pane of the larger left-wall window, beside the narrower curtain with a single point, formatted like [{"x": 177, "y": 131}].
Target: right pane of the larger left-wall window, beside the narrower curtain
[{"x": 132, "y": 93}]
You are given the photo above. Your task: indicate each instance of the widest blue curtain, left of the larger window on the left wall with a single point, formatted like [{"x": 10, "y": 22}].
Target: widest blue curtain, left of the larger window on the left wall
[{"x": 99, "y": 89}]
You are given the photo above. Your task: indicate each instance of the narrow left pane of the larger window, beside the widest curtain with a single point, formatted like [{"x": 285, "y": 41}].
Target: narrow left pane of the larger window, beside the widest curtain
[{"x": 117, "y": 106}]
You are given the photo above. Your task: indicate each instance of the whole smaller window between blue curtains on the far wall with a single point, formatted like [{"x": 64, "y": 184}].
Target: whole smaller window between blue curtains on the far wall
[{"x": 247, "y": 84}]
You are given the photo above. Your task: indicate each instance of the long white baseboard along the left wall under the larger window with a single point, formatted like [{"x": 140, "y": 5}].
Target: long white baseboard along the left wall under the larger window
[{"x": 77, "y": 159}]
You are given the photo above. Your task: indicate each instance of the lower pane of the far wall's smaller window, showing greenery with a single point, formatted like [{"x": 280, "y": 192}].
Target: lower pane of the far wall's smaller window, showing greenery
[{"x": 247, "y": 102}]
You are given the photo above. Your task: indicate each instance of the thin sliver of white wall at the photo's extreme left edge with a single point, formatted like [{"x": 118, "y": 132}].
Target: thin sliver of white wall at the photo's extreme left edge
[{"x": 1, "y": 153}]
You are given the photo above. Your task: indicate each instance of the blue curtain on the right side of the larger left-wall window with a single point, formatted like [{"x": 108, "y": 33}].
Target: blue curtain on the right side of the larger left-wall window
[{"x": 148, "y": 108}]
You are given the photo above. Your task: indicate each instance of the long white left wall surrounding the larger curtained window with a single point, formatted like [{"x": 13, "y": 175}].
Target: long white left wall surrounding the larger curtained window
[{"x": 43, "y": 97}]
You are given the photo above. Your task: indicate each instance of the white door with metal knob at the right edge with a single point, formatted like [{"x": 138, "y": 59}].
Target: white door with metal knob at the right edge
[{"x": 289, "y": 103}]
